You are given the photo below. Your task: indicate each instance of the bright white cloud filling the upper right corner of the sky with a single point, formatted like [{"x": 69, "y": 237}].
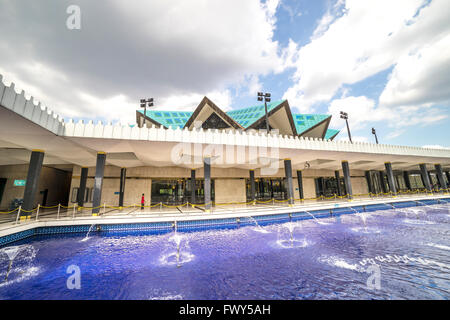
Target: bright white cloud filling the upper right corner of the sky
[{"x": 368, "y": 37}]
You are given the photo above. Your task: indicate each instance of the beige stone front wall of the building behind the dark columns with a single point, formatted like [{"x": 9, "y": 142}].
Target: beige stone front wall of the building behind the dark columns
[{"x": 229, "y": 183}]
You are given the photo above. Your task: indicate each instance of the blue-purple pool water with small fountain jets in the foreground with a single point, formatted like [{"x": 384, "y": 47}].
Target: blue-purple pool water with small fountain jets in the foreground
[{"x": 399, "y": 253}]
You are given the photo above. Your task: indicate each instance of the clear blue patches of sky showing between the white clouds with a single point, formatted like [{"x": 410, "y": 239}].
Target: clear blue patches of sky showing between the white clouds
[{"x": 297, "y": 21}]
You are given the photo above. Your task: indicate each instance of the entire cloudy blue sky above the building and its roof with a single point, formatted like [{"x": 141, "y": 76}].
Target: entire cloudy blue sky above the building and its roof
[{"x": 386, "y": 63}]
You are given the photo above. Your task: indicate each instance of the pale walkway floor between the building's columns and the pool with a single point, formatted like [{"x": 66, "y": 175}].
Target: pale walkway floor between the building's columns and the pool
[{"x": 50, "y": 217}]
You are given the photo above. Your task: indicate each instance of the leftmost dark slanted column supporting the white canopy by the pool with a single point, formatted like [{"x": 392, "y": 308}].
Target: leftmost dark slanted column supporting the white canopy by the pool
[{"x": 31, "y": 186}]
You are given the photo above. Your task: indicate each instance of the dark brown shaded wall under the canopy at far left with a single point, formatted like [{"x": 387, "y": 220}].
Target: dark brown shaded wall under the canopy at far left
[{"x": 56, "y": 181}]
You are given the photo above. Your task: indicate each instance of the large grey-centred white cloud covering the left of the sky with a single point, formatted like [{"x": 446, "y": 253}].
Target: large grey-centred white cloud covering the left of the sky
[{"x": 174, "y": 51}]
